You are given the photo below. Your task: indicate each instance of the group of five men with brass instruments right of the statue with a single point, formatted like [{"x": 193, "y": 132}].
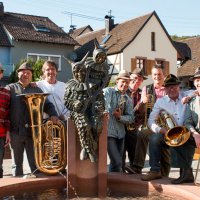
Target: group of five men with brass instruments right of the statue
[{"x": 145, "y": 131}]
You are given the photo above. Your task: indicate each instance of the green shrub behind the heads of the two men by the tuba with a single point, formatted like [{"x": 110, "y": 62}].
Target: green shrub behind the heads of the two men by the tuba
[{"x": 37, "y": 67}]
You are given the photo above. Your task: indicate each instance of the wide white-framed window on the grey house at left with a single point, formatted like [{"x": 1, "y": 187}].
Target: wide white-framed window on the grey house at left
[{"x": 55, "y": 58}]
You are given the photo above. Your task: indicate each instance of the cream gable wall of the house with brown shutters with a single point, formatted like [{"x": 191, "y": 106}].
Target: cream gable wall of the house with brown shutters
[{"x": 141, "y": 46}]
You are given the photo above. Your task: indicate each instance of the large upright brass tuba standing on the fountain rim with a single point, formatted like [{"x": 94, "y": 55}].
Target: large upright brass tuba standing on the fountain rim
[{"x": 49, "y": 139}]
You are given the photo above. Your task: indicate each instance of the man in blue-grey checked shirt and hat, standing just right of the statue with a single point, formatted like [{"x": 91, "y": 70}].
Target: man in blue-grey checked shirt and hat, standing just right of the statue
[{"x": 120, "y": 110}]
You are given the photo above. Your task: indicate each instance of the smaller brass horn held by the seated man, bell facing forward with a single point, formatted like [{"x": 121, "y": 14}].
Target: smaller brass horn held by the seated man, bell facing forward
[{"x": 176, "y": 135}]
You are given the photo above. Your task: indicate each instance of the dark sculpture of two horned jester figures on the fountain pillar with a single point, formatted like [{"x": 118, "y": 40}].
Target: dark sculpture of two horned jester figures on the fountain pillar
[{"x": 84, "y": 98}]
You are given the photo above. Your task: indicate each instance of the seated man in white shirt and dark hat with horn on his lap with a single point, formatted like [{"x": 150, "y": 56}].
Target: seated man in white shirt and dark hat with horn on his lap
[{"x": 172, "y": 105}]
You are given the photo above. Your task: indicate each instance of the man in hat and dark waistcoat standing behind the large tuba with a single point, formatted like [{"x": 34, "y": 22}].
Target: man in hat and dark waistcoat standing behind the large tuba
[{"x": 20, "y": 130}]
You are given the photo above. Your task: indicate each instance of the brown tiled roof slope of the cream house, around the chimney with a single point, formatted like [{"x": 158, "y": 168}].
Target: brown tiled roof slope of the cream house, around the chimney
[{"x": 121, "y": 35}]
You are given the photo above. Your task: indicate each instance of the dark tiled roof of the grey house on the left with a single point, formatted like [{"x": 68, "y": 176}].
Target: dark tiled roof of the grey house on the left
[{"x": 21, "y": 28}]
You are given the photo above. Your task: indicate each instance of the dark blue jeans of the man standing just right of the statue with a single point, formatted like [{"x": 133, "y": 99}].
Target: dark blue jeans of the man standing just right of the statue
[{"x": 115, "y": 153}]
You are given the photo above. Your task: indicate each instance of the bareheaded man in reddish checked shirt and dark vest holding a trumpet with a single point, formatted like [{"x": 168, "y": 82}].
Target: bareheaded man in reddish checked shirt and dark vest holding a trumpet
[{"x": 150, "y": 94}]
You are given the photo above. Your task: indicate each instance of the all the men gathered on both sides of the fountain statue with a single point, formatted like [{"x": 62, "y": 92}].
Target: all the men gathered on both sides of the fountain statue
[{"x": 132, "y": 126}]
